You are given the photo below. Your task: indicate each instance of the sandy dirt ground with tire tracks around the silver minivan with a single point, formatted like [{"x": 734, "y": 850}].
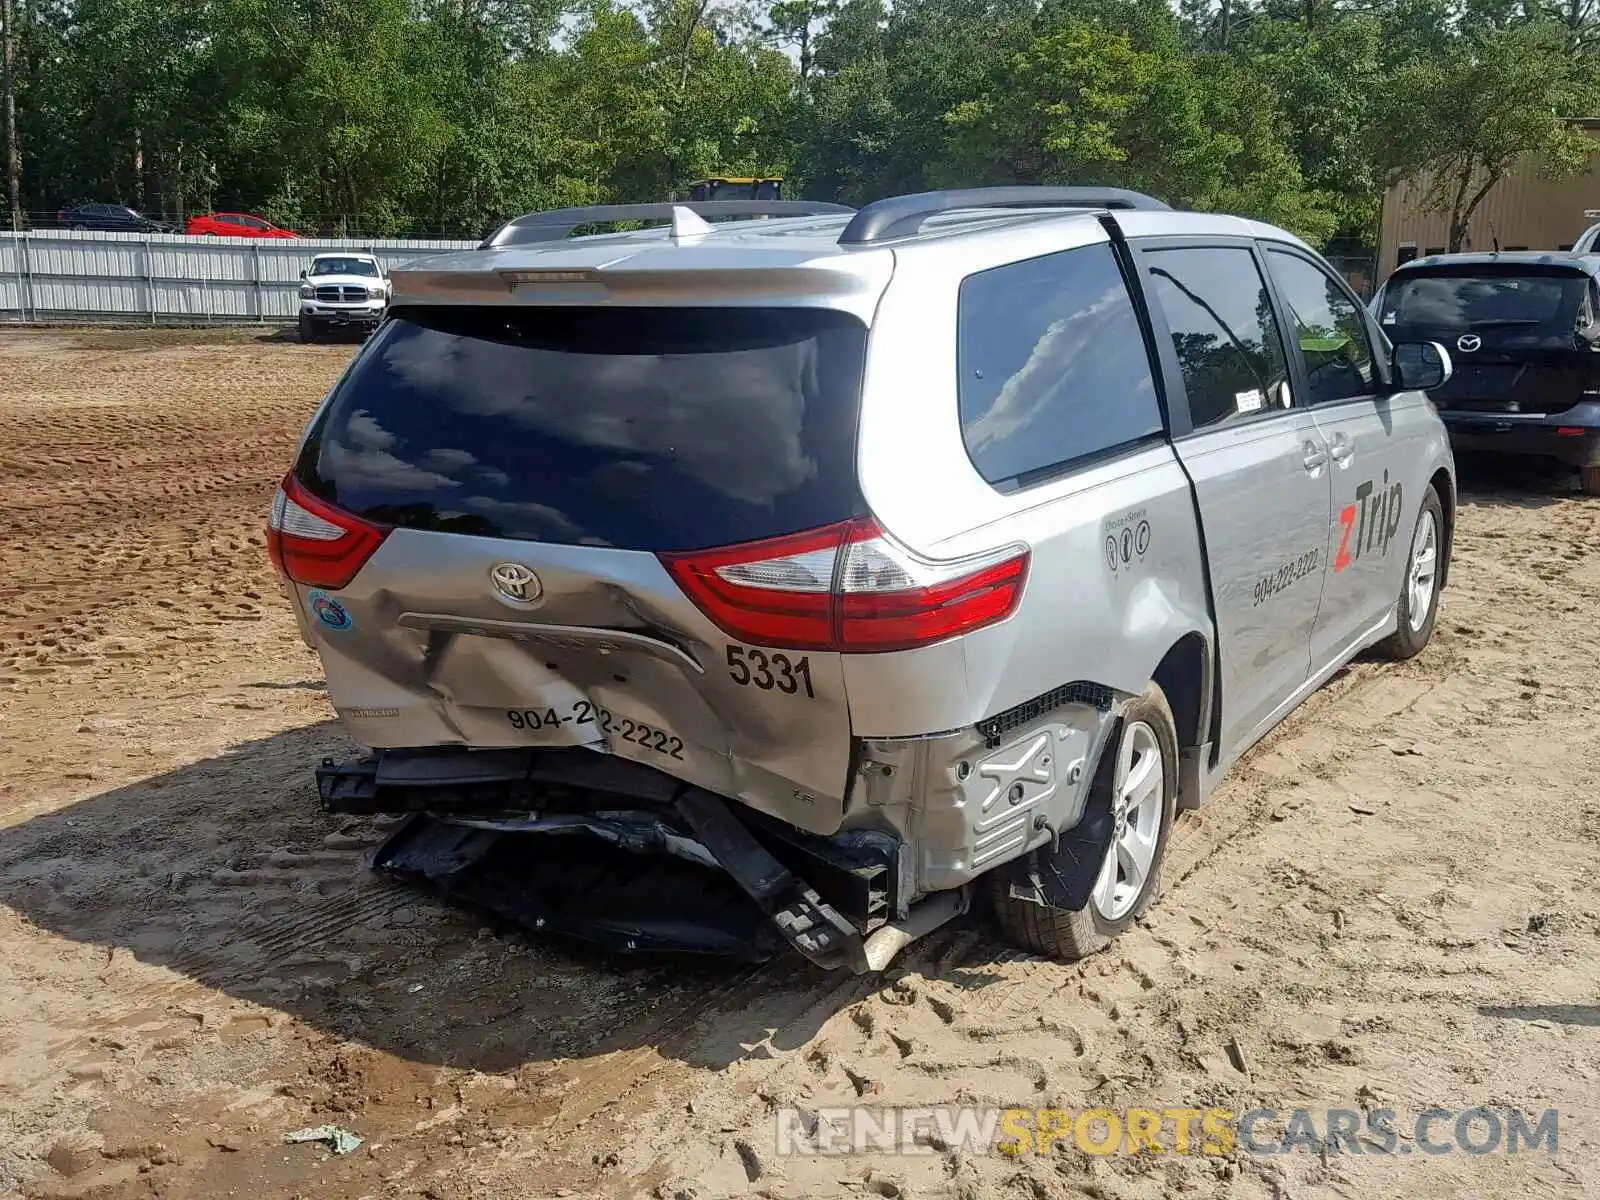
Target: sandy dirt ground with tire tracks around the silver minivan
[{"x": 1391, "y": 903}]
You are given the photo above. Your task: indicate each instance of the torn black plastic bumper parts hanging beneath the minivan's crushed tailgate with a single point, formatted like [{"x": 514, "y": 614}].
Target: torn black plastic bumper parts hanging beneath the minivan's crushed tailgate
[{"x": 566, "y": 841}]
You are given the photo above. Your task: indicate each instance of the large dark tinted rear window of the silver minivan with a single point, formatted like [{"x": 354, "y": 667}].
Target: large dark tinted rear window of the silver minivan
[{"x": 647, "y": 430}]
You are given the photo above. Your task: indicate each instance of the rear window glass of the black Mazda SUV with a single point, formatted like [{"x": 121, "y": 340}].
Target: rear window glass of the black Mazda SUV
[{"x": 1458, "y": 302}]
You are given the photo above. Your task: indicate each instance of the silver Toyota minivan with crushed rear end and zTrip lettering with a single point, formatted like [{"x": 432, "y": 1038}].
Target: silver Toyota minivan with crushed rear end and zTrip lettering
[{"x": 841, "y": 559}]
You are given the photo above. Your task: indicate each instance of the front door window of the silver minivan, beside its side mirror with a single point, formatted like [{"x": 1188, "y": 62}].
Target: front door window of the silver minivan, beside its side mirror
[{"x": 1329, "y": 330}]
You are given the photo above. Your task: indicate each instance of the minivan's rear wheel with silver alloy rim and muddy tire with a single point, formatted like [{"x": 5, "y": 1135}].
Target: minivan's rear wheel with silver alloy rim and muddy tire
[{"x": 1143, "y": 799}]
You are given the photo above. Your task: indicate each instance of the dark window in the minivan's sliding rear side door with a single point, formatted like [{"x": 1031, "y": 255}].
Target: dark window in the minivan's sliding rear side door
[{"x": 1223, "y": 330}]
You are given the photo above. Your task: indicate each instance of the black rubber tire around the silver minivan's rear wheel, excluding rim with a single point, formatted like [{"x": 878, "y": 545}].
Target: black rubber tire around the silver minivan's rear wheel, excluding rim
[{"x": 1078, "y": 934}]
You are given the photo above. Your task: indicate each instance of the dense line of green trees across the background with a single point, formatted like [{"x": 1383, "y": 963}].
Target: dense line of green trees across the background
[{"x": 449, "y": 116}]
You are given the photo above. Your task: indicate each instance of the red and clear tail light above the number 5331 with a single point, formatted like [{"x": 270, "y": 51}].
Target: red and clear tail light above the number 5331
[{"x": 849, "y": 588}]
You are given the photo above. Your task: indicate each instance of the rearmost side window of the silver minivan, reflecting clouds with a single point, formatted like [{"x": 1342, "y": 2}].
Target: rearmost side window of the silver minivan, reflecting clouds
[{"x": 1052, "y": 366}]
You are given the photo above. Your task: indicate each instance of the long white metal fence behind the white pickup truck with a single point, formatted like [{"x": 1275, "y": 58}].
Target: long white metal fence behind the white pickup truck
[{"x": 63, "y": 276}]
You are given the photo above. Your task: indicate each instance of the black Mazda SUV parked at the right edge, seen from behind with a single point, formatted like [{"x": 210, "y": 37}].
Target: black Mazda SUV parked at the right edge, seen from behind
[{"x": 1522, "y": 330}]
